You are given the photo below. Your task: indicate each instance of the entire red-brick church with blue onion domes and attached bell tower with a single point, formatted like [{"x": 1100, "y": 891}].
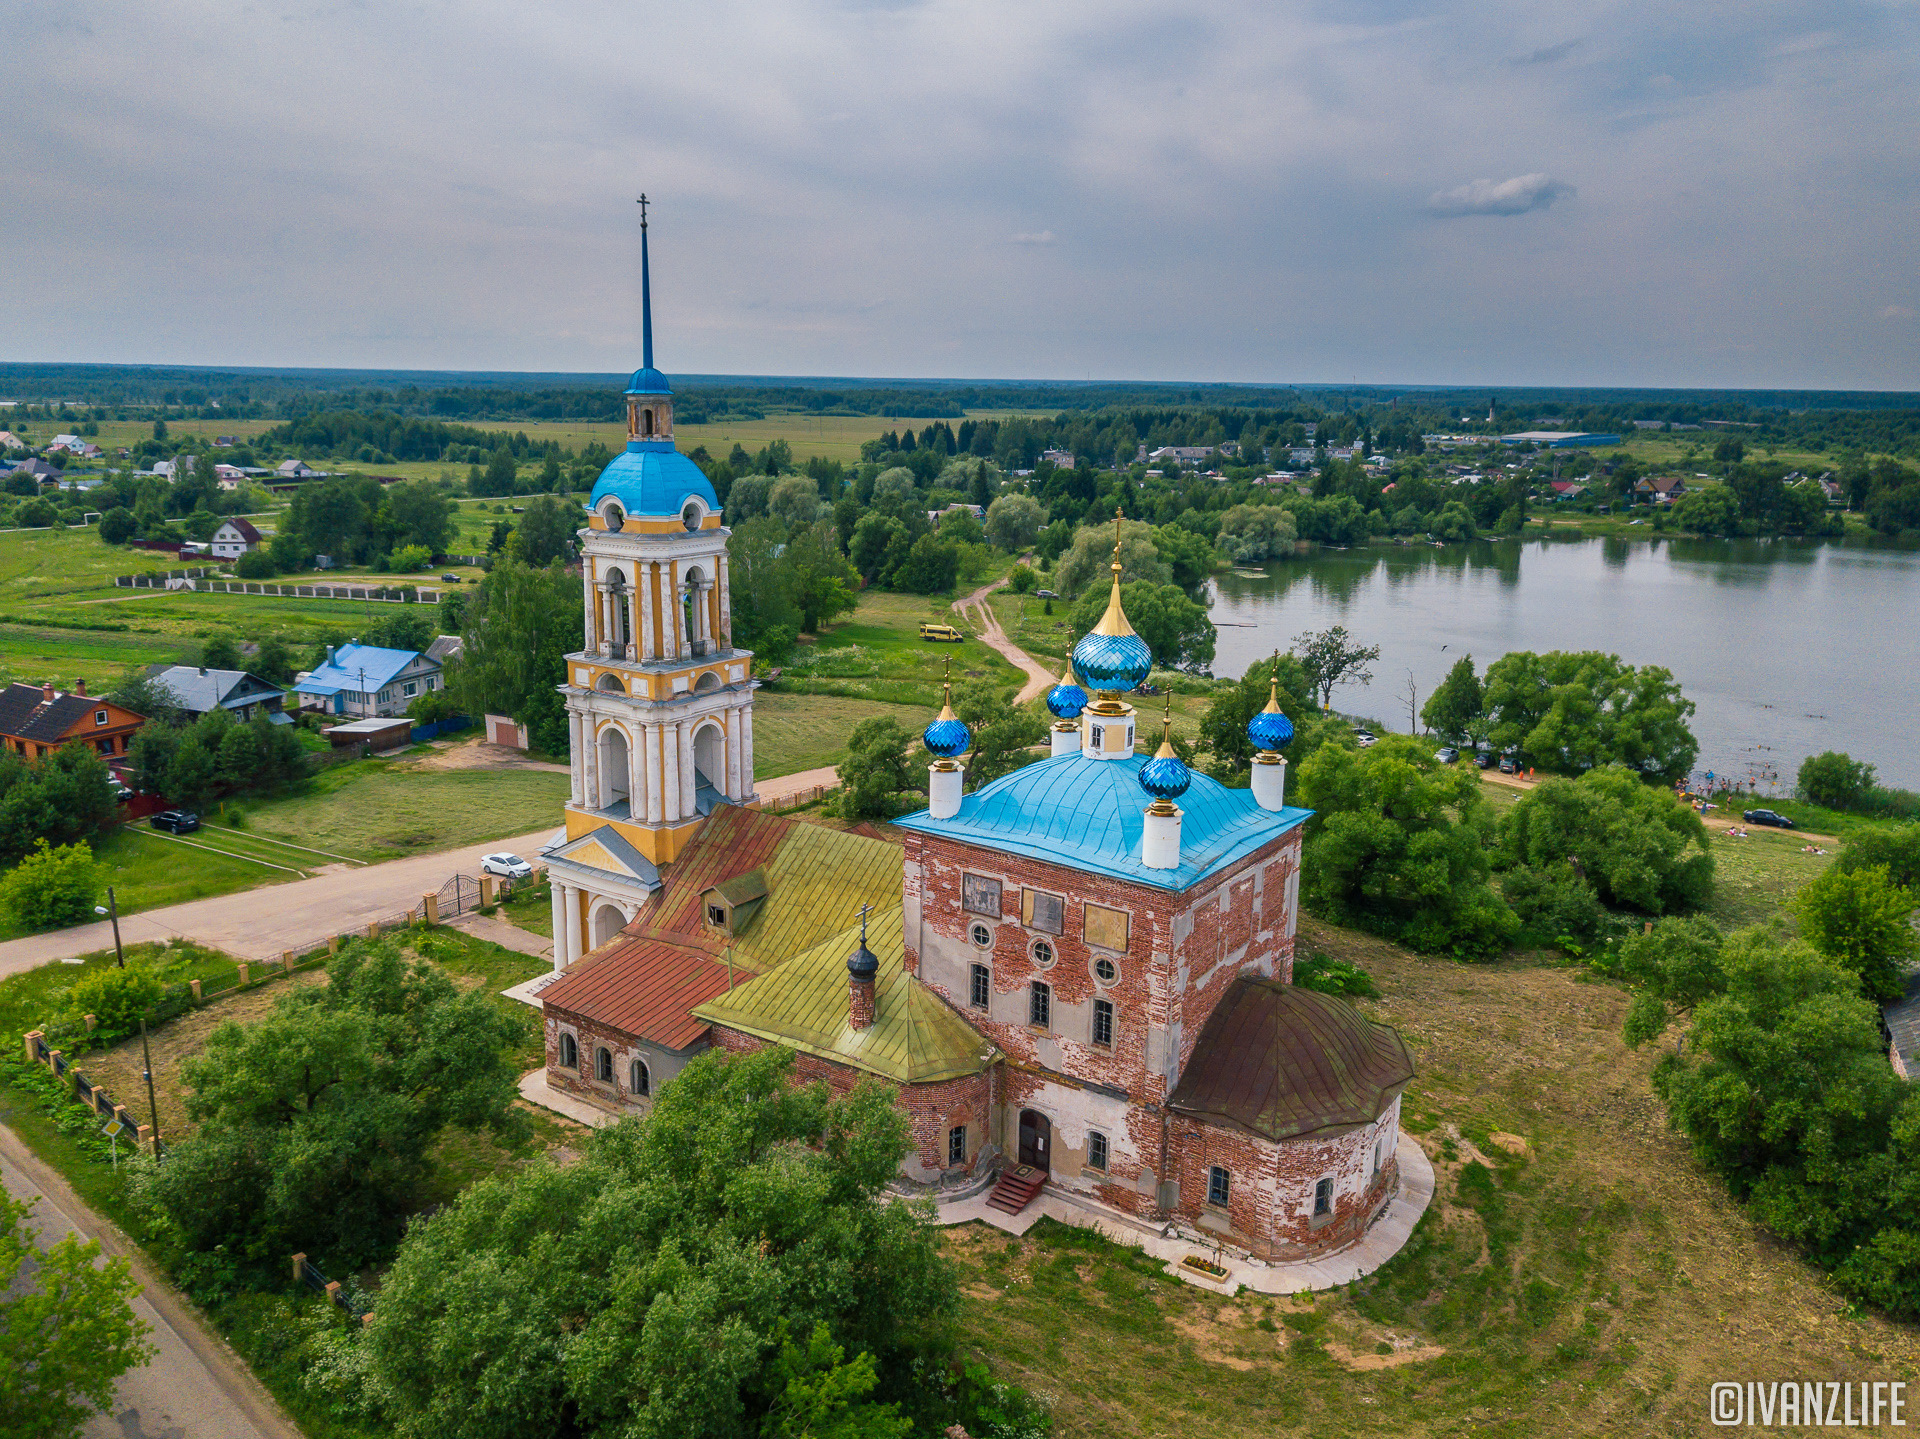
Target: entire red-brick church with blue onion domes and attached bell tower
[{"x": 1076, "y": 977}]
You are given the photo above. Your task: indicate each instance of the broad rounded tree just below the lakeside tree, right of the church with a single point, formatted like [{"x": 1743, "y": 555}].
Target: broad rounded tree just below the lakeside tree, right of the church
[{"x": 1633, "y": 842}]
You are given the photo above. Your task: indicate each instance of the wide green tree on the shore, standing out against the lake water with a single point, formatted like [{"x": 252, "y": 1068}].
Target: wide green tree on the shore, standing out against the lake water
[{"x": 1570, "y": 712}]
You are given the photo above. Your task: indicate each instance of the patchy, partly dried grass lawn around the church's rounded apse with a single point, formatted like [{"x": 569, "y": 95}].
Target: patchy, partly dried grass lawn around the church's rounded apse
[{"x": 1596, "y": 1286}]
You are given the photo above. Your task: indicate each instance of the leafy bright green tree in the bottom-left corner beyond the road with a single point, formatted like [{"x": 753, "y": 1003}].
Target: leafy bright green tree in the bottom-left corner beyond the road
[{"x": 66, "y": 1330}]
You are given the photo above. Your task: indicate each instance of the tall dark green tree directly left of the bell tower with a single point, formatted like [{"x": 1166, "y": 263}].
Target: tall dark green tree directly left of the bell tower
[{"x": 521, "y": 625}]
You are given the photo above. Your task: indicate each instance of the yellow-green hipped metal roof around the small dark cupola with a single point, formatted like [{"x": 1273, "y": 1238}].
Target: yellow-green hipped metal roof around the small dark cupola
[{"x": 804, "y": 1004}]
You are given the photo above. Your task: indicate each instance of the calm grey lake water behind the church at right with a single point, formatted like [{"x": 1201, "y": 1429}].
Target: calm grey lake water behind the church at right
[{"x": 1787, "y": 648}]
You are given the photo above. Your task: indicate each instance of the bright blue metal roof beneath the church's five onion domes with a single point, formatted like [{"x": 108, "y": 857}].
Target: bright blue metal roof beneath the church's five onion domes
[{"x": 1088, "y": 814}]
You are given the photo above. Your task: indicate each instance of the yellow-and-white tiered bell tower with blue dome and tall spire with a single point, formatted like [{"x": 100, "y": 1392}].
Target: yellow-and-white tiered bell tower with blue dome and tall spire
[{"x": 660, "y": 702}]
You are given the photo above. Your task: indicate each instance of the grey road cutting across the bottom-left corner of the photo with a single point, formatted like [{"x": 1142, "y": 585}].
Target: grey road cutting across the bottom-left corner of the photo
[{"x": 193, "y": 1388}]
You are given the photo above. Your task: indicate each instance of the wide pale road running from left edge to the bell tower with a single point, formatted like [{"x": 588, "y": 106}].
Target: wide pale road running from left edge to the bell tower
[{"x": 262, "y": 923}]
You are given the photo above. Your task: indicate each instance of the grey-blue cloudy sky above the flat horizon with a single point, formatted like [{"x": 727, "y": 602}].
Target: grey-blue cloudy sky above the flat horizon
[{"x": 1381, "y": 191}]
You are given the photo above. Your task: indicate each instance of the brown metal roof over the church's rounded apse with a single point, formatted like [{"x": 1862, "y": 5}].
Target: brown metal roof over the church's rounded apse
[{"x": 1285, "y": 1063}]
